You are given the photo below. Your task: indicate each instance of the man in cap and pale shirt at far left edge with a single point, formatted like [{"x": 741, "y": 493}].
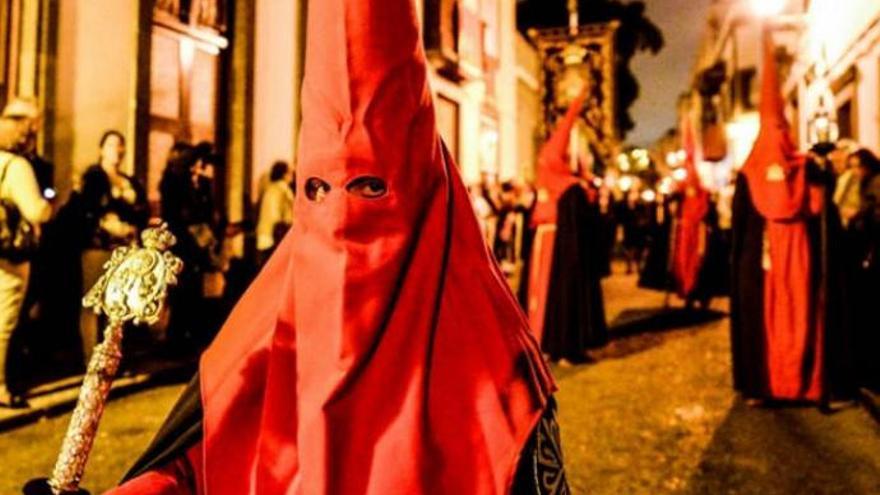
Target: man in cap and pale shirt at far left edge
[{"x": 22, "y": 210}]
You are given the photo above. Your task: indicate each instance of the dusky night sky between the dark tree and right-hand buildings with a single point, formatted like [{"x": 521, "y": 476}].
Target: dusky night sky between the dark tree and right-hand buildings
[{"x": 664, "y": 76}]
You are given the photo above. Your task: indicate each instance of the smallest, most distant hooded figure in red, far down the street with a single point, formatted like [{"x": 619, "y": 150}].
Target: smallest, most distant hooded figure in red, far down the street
[{"x": 690, "y": 236}]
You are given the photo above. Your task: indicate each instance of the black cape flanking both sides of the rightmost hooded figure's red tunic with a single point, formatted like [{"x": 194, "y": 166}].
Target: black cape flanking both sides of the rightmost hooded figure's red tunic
[{"x": 747, "y": 331}]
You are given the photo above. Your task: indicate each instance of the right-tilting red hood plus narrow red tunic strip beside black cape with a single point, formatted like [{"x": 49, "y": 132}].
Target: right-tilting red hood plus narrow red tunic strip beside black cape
[{"x": 554, "y": 177}]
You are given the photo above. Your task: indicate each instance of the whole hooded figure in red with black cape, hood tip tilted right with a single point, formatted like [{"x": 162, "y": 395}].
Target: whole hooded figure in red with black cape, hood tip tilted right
[{"x": 565, "y": 300}]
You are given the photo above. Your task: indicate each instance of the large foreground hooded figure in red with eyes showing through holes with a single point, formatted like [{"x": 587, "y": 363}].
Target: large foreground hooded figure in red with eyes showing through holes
[{"x": 380, "y": 350}]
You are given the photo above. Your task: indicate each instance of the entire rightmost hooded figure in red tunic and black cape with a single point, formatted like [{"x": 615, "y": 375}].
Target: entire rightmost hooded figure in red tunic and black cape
[{"x": 778, "y": 311}]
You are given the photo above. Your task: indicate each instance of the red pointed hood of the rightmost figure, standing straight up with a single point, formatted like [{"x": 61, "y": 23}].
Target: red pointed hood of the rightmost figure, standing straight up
[{"x": 774, "y": 168}]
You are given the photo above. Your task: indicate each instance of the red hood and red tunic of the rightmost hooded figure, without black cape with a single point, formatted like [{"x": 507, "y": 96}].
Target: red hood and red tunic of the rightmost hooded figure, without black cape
[{"x": 793, "y": 314}]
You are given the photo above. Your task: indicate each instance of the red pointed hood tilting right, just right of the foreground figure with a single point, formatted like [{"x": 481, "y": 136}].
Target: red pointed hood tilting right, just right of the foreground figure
[{"x": 554, "y": 174}]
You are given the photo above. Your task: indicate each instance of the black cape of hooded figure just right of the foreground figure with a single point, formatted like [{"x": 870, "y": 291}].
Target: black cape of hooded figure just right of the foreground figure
[{"x": 575, "y": 317}]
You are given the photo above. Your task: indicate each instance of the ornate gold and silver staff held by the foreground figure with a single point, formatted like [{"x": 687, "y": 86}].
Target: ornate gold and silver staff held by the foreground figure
[{"x": 133, "y": 288}]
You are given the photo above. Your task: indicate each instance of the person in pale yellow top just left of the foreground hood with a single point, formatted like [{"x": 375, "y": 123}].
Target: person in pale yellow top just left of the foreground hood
[{"x": 276, "y": 211}]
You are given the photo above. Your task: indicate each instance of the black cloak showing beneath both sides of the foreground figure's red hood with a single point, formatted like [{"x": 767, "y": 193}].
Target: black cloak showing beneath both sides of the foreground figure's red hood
[{"x": 540, "y": 470}]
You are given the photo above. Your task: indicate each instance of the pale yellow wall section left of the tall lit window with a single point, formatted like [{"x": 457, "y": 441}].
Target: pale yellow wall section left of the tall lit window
[{"x": 94, "y": 82}]
